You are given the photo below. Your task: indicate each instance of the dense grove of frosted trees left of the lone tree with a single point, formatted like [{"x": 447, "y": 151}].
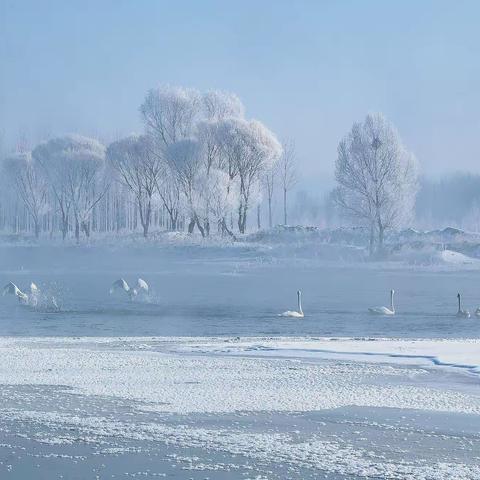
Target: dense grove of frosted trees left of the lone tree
[{"x": 199, "y": 164}]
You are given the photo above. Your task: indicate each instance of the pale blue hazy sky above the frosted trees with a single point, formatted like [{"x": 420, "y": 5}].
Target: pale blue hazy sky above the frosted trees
[{"x": 308, "y": 69}]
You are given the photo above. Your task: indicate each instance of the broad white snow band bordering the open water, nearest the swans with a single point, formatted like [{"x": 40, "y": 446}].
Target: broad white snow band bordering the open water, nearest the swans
[{"x": 208, "y": 375}]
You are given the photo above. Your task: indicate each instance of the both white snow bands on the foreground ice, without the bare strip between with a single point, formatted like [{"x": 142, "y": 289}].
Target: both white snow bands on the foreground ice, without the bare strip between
[{"x": 218, "y": 375}]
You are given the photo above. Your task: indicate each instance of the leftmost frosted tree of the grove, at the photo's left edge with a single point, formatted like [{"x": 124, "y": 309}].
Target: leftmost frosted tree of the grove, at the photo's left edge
[{"x": 29, "y": 182}]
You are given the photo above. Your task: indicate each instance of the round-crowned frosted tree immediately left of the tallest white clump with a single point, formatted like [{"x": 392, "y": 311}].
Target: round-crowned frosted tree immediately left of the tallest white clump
[{"x": 139, "y": 169}]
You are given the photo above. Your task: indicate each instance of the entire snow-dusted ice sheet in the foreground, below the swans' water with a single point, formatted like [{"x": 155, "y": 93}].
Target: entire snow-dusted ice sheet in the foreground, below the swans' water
[{"x": 258, "y": 399}]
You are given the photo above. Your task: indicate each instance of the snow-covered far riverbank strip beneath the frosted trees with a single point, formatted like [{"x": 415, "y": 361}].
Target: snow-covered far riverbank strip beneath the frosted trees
[{"x": 449, "y": 248}]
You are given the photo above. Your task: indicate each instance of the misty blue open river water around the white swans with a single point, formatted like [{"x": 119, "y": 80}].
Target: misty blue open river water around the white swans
[{"x": 197, "y": 291}]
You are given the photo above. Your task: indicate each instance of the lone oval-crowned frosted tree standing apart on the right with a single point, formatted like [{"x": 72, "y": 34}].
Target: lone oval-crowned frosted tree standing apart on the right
[{"x": 376, "y": 176}]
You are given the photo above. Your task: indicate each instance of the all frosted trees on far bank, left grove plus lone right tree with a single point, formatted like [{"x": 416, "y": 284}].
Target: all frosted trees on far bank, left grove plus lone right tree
[{"x": 199, "y": 164}]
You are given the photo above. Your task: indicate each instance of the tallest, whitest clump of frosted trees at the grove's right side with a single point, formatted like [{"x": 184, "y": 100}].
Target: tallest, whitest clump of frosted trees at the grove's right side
[{"x": 176, "y": 118}]
